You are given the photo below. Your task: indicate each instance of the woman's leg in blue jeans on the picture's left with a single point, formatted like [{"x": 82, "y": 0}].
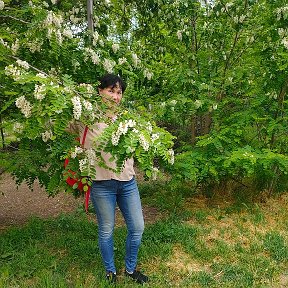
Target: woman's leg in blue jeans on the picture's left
[{"x": 103, "y": 196}]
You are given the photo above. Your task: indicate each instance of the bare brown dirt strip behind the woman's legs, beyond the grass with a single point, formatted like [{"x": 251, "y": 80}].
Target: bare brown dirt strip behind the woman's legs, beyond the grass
[{"x": 17, "y": 206}]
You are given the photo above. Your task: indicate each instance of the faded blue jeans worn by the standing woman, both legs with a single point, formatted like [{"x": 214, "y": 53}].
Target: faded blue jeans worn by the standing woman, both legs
[{"x": 104, "y": 195}]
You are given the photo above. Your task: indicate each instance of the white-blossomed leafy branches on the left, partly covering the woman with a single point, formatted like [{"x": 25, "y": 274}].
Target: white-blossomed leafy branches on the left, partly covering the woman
[{"x": 50, "y": 70}]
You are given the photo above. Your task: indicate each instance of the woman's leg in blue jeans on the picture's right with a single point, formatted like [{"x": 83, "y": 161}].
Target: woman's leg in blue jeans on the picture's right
[{"x": 129, "y": 202}]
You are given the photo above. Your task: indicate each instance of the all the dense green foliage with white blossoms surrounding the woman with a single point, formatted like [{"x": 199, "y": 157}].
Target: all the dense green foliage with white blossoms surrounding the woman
[{"x": 213, "y": 72}]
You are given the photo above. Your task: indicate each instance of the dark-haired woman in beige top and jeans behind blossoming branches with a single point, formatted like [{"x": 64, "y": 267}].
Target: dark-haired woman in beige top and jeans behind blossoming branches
[{"x": 109, "y": 189}]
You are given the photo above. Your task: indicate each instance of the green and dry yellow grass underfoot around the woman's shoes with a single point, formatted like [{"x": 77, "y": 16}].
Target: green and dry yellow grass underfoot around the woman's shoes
[{"x": 200, "y": 243}]
